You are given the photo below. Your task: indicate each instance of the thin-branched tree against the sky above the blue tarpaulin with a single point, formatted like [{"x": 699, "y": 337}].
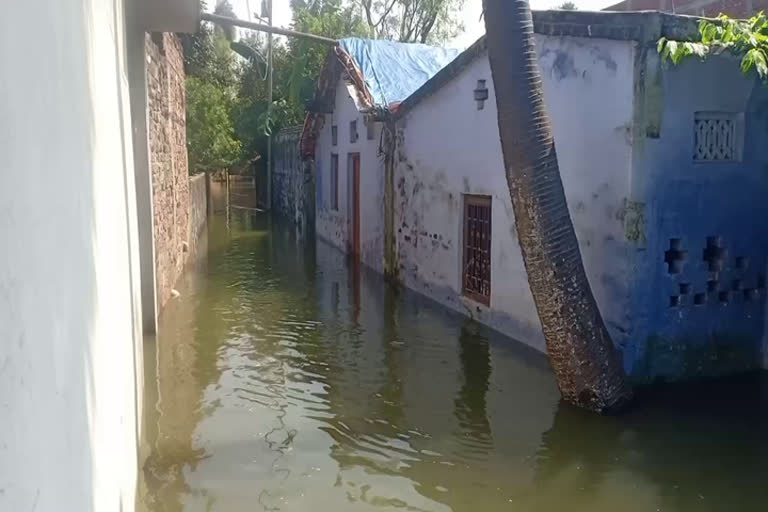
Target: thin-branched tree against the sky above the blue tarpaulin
[{"x": 423, "y": 21}]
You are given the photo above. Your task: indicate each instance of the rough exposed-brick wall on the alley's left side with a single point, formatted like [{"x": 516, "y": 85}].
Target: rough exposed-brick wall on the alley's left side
[{"x": 168, "y": 158}]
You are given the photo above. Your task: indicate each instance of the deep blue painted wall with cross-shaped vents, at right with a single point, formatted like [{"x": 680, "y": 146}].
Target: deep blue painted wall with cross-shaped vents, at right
[{"x": 692, "y": 201}]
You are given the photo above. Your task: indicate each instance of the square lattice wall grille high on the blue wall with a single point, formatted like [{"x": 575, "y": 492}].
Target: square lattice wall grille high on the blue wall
[{"x": 717, "y": 137}]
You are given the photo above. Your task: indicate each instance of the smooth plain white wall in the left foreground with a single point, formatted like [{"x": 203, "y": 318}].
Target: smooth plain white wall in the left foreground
[{"x": 69, "y": 273}]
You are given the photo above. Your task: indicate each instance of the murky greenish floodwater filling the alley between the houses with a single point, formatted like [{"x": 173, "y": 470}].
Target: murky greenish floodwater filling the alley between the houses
[{"x": 282, "y": 381}]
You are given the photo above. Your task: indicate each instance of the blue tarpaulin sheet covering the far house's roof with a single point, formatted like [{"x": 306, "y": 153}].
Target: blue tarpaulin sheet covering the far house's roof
[{"x": 393, "y": 71}]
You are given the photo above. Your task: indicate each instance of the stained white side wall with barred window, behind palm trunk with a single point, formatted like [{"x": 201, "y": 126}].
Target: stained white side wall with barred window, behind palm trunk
[{"x": 450, "y": 148}]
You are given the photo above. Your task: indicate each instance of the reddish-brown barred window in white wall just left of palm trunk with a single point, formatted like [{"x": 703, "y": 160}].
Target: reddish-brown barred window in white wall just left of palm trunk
[{"x": 476, "y": 278}]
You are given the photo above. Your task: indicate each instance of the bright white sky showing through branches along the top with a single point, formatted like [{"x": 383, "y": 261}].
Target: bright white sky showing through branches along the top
[{"x": 474, "y": 27}]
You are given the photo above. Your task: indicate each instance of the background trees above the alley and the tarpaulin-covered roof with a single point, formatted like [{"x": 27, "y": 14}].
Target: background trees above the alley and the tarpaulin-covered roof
[{"x": 228, "y": 115}]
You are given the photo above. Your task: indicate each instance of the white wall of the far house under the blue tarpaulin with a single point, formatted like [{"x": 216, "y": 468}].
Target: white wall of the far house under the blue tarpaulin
[{"x": 330, "y": 224}]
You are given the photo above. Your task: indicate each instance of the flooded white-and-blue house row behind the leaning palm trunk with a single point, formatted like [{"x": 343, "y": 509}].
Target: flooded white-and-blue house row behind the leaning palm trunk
[{"x": 664, "y": 175}]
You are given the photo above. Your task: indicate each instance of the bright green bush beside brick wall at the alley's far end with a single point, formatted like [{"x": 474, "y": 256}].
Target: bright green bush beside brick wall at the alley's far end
[{"x": 211, "y": 142}]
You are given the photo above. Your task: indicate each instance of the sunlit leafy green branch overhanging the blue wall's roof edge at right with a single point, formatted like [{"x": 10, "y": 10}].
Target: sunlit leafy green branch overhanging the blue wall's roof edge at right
[{"x": 747, "y": 39}]
